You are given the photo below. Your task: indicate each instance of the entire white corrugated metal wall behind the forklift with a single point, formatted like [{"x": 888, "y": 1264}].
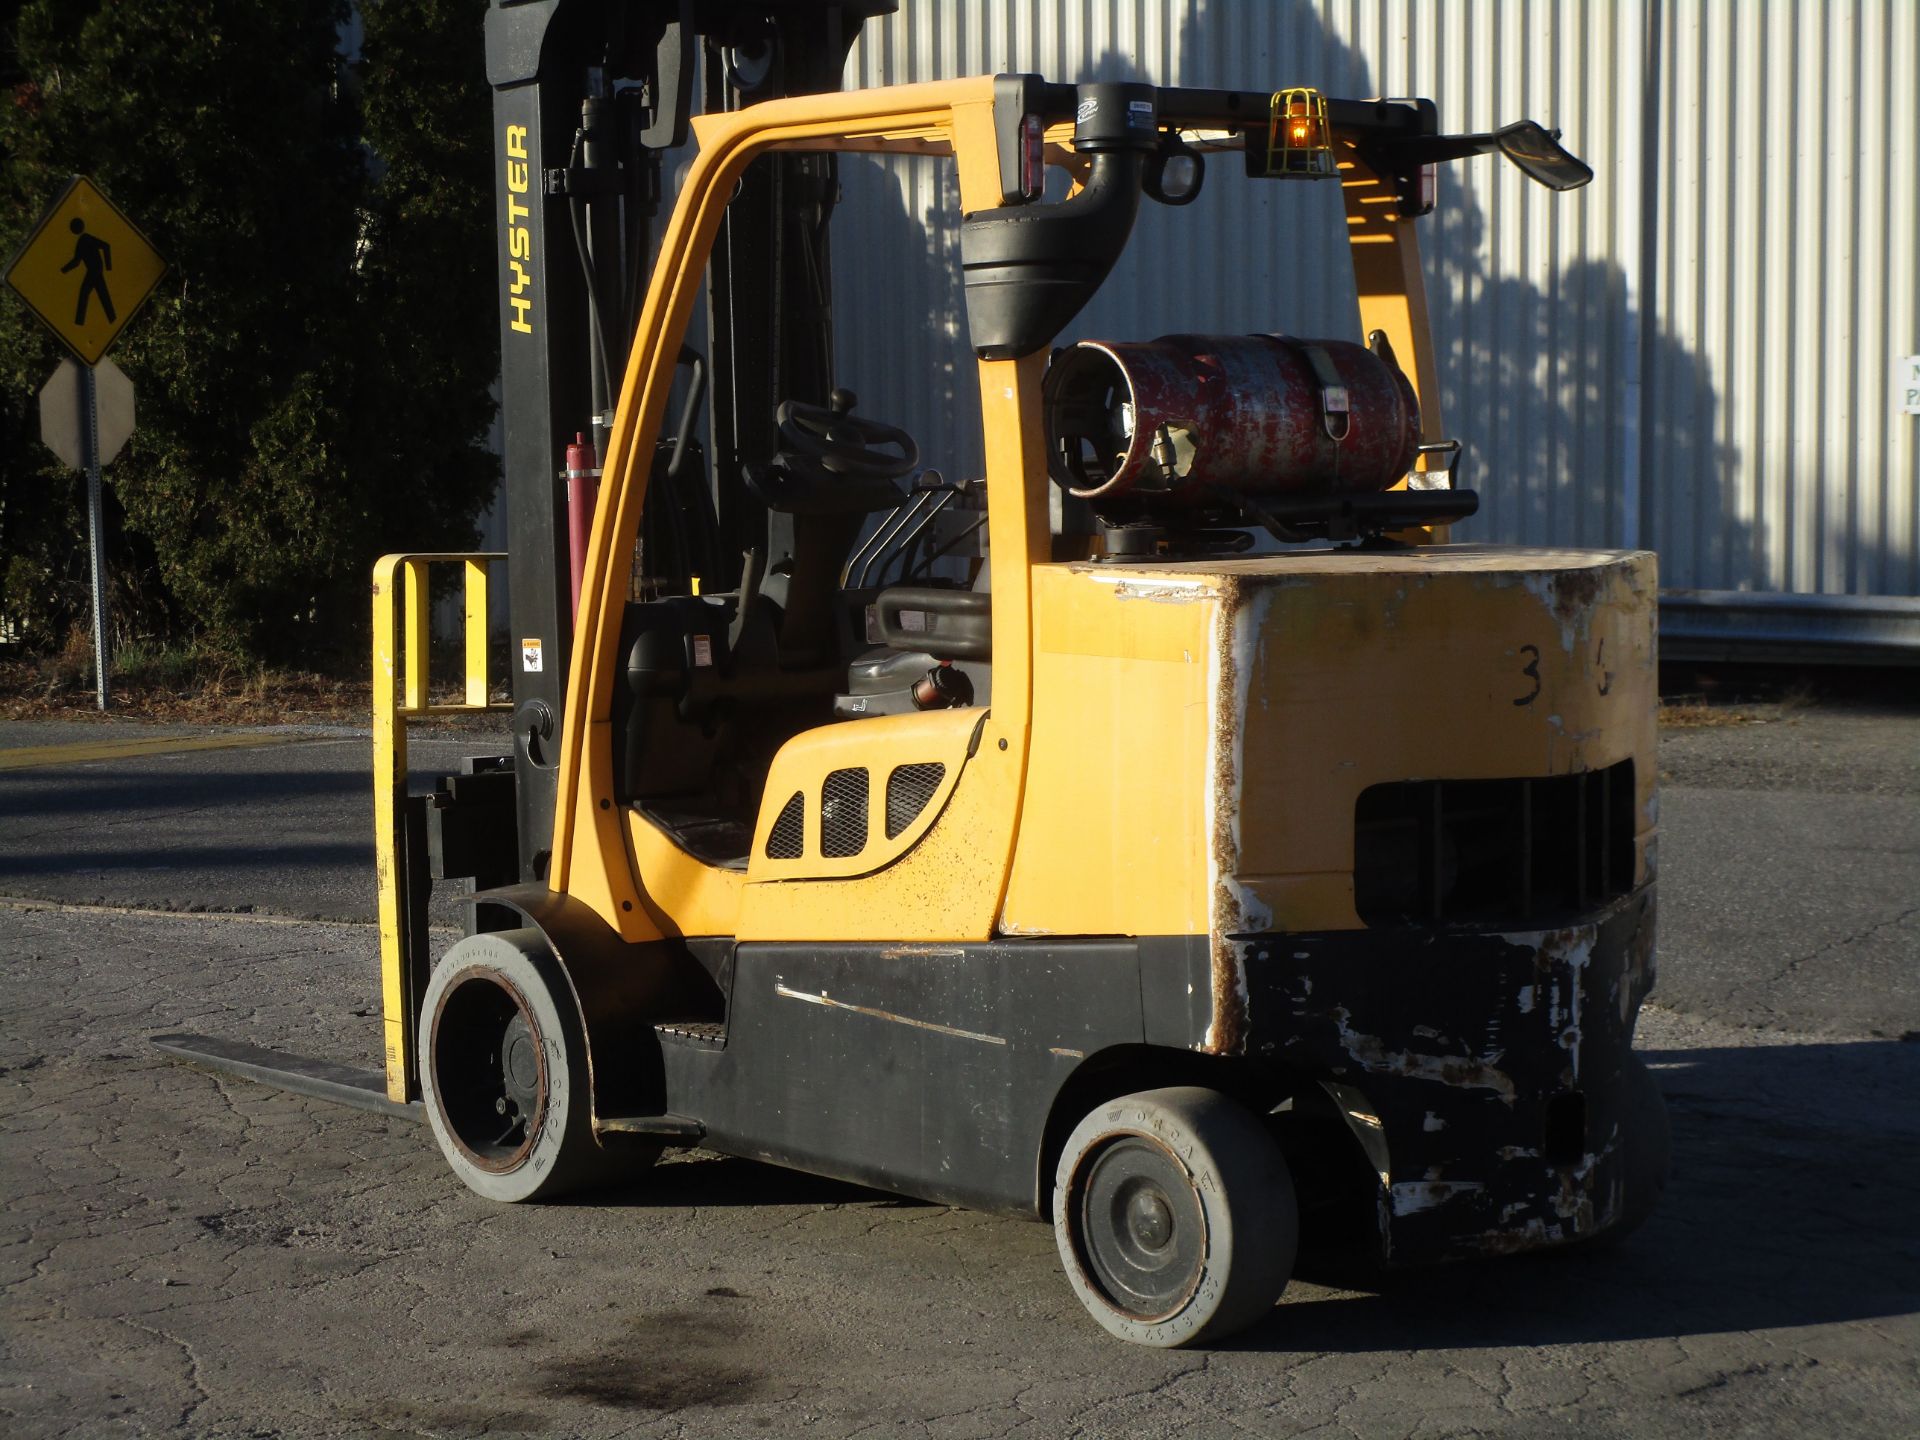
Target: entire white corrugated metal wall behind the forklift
[{"x": 1696, "y": 352}]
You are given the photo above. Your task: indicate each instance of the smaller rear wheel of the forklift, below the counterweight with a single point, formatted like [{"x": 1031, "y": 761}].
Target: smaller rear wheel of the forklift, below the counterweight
[{"x": 1176, "y": 1216}]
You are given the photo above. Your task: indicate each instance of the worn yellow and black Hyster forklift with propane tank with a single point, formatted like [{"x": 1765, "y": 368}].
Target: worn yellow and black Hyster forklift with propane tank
[{"x": 1232, "y": 853}]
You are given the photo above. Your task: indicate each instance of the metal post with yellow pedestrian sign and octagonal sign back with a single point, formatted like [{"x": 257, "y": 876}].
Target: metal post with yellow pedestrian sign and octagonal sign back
[{"x": 68, "y": 266}]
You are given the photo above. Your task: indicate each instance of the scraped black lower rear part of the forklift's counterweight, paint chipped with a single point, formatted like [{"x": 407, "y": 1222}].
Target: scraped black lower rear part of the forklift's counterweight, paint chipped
[{"x": 1485, "y": 1074}]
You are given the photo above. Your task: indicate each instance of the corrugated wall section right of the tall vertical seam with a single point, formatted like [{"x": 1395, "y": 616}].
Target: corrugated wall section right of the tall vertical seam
[{"x": 1787, "y": 256}]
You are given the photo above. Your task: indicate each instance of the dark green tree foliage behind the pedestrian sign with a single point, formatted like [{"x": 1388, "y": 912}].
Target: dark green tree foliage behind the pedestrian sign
[{"x": 314, "y": 372}]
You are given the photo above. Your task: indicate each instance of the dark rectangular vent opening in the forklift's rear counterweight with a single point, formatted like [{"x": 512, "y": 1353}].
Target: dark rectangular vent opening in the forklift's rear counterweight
[{"x": 1487, "y": 852}]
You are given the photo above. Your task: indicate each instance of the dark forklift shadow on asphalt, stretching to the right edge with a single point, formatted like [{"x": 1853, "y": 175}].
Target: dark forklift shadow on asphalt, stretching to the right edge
[{"x": 1790, "y": 1205}]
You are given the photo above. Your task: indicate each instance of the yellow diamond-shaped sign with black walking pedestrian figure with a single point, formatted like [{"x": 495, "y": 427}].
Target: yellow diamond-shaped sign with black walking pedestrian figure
[{"x": 85, "y": 270}]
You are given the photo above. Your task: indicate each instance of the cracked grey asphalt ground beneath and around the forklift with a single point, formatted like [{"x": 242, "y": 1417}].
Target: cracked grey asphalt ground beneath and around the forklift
[{"x": 195, "y": 1257}]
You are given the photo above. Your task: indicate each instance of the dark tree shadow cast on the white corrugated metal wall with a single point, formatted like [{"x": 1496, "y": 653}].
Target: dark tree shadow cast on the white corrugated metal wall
[{"x": 1535, "y": 370}]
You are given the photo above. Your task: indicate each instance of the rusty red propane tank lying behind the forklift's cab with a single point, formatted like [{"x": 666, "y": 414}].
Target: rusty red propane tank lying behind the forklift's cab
[{"x": 1195, "y": 421}]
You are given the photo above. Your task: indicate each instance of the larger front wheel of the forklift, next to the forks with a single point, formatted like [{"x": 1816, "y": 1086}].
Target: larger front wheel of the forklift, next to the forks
[{"x": 506, "y": 1078}]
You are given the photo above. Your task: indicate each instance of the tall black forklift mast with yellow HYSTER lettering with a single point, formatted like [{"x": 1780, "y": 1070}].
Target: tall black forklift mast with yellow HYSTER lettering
[{"x": 590, "y": 99}]
